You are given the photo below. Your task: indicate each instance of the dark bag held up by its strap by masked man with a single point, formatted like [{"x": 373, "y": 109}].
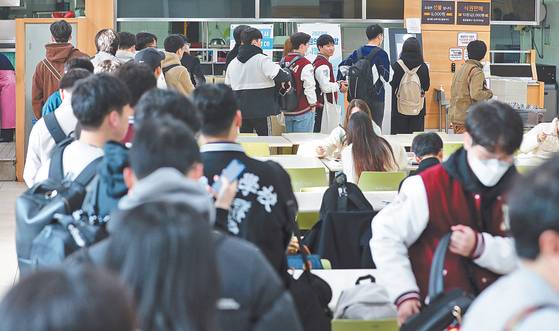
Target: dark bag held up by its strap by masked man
[{"x": 444, "y": 309}]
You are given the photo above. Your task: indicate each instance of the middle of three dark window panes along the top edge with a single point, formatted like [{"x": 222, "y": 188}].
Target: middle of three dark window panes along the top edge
[{"x": 348, "y": 9}]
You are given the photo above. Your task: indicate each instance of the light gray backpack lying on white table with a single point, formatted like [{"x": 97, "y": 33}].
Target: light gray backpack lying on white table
[{"x": 368, "y": 301}]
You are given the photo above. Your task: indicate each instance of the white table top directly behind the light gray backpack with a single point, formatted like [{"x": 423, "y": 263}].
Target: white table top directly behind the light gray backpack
[{"x": 339, "y": 280}]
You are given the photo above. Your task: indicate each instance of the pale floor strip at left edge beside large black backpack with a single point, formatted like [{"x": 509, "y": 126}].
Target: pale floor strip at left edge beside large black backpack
[{"x": 9, "y": 191}]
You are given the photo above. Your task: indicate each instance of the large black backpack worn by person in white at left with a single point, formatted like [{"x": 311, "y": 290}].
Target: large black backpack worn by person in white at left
[{"x": 48, "y": 228}]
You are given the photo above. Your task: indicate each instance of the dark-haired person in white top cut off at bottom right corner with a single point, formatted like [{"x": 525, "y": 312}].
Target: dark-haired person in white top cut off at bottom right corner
[{"x": 527, "y": 299}]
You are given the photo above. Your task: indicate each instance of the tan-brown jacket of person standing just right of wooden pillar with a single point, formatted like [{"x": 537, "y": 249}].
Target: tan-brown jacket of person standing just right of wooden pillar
[{"x": 468, "y": 87}]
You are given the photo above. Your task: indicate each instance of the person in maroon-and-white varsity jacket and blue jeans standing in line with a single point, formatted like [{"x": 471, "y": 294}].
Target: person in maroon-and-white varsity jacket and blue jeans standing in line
[{"x": 302, "y": 118}]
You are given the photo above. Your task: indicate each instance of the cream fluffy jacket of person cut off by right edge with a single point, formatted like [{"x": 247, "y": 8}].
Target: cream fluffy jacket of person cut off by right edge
[{"x": 542, "y": 141}]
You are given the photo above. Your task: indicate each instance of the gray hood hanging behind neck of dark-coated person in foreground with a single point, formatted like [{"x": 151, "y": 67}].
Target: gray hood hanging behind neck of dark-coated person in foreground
[{"x": 169, "y": 185}]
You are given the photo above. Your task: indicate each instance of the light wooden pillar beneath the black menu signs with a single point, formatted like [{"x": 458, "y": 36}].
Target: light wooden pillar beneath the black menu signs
[{"x": 438, "y": 39}]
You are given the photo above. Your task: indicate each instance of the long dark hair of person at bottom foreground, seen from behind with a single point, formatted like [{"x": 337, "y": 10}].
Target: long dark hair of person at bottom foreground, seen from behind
[{"x": 165, "y": 253}]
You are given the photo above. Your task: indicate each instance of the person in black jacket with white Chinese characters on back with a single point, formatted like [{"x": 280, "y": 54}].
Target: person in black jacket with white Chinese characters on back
[{"x": 259, "y": 211}]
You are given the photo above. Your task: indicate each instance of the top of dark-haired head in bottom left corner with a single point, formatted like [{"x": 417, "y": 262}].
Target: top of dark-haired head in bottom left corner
[{"x": 68, "y": 299}]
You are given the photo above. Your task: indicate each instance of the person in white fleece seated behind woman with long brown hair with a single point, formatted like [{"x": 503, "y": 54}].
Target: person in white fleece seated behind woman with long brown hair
[{"x": 334, "y": 144}]
